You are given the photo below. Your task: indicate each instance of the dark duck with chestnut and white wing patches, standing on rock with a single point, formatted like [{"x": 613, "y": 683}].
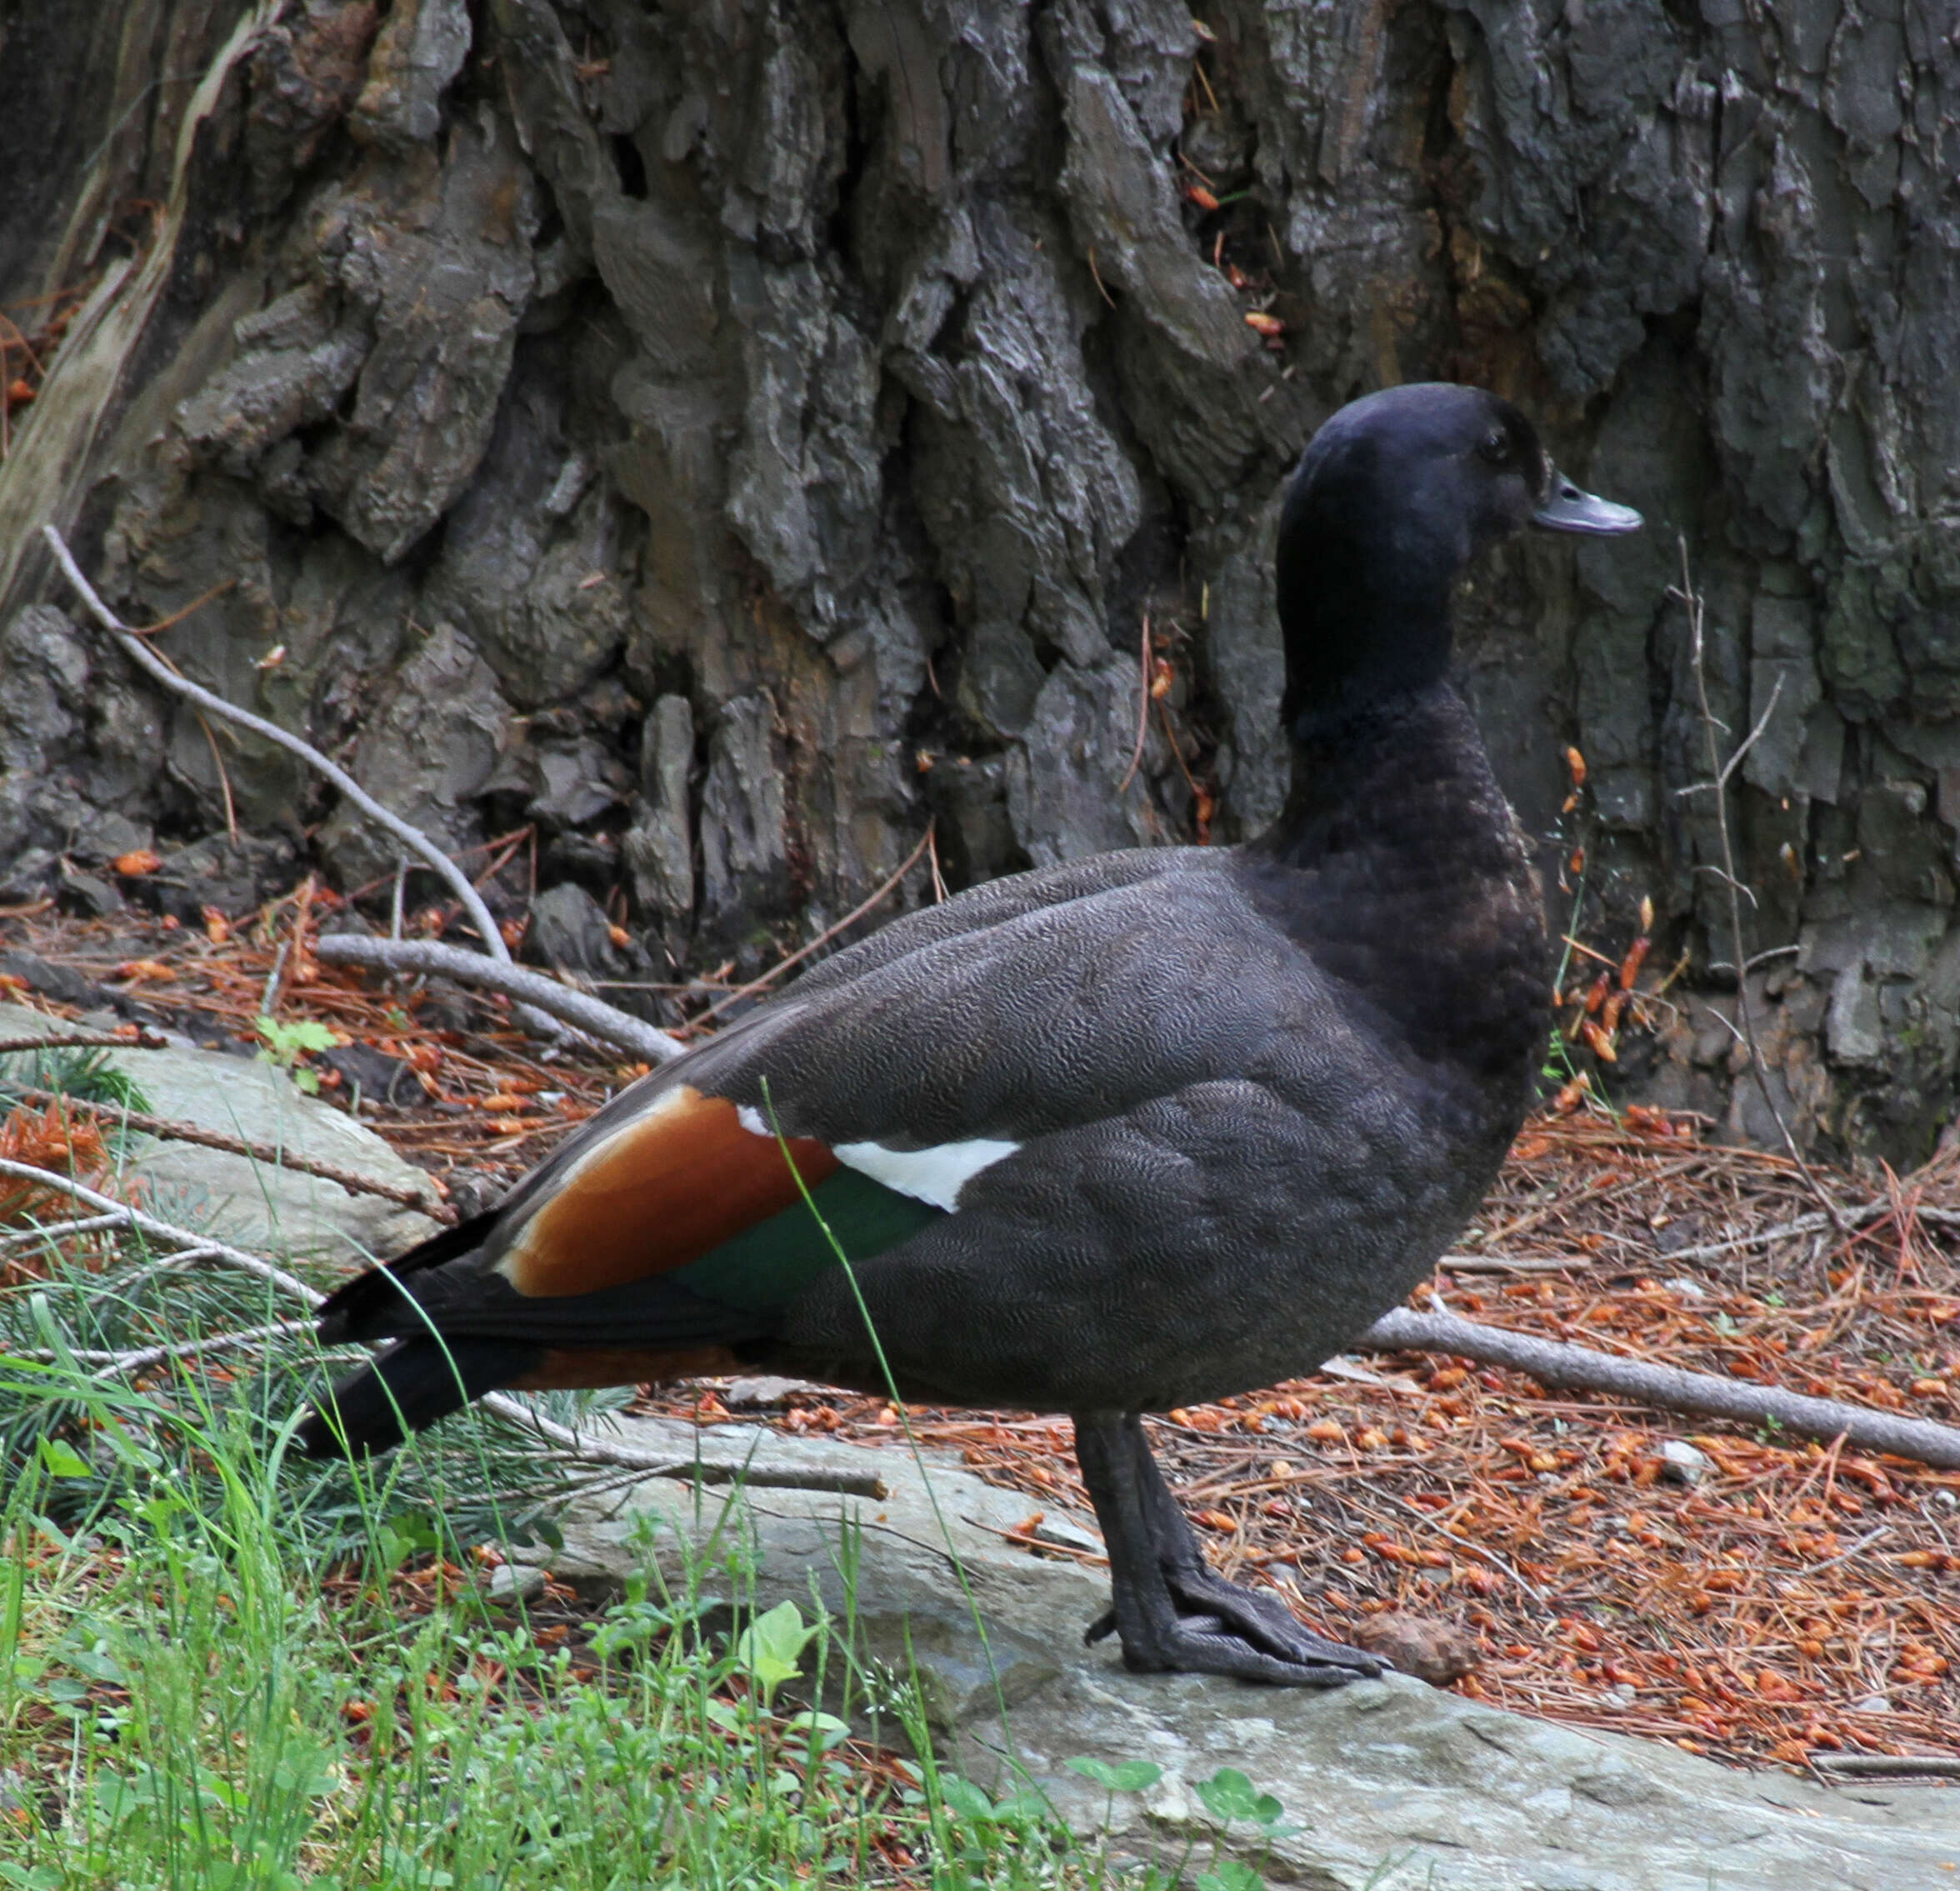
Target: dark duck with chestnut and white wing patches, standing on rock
[{"x": 1110, "y": 1138}]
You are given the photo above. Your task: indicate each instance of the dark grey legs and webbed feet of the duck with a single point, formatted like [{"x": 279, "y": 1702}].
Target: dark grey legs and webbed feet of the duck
[{"x": 1171, "y": 1610}]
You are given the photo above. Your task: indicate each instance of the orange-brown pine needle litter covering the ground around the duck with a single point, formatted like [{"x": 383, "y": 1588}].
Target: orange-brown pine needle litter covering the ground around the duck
[{"x": 1743, "y": 1596}]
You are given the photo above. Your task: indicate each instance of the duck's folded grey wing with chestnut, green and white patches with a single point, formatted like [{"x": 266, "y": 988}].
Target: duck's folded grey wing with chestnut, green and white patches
[{"x": 671, "y": 1232}]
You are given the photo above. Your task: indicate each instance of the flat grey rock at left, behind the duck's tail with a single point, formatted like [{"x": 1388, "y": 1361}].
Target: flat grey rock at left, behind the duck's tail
[{"x": 271, "y": 1210}]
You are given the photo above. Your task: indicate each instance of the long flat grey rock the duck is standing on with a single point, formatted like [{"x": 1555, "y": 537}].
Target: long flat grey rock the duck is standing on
[{"x": 1396, "y": 1786}]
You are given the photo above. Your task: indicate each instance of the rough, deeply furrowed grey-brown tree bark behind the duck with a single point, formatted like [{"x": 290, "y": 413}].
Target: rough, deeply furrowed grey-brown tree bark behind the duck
[{"x": 726, "y": 436}]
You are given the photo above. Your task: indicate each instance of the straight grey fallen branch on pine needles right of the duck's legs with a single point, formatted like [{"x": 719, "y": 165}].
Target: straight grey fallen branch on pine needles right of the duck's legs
[{"x": 1557, "y": 1363}]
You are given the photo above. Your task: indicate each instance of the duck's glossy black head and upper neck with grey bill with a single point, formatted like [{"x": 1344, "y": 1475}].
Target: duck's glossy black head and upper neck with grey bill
[{"x": 1393, "y": 501}]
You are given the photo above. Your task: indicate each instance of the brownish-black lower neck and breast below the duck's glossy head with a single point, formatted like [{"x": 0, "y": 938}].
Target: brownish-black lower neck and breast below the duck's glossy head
[{"x": 1398, "y": 867}]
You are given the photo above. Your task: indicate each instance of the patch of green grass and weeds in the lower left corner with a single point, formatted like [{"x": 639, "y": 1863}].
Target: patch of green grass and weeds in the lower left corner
[{"x": 224, "y": 1669}]
